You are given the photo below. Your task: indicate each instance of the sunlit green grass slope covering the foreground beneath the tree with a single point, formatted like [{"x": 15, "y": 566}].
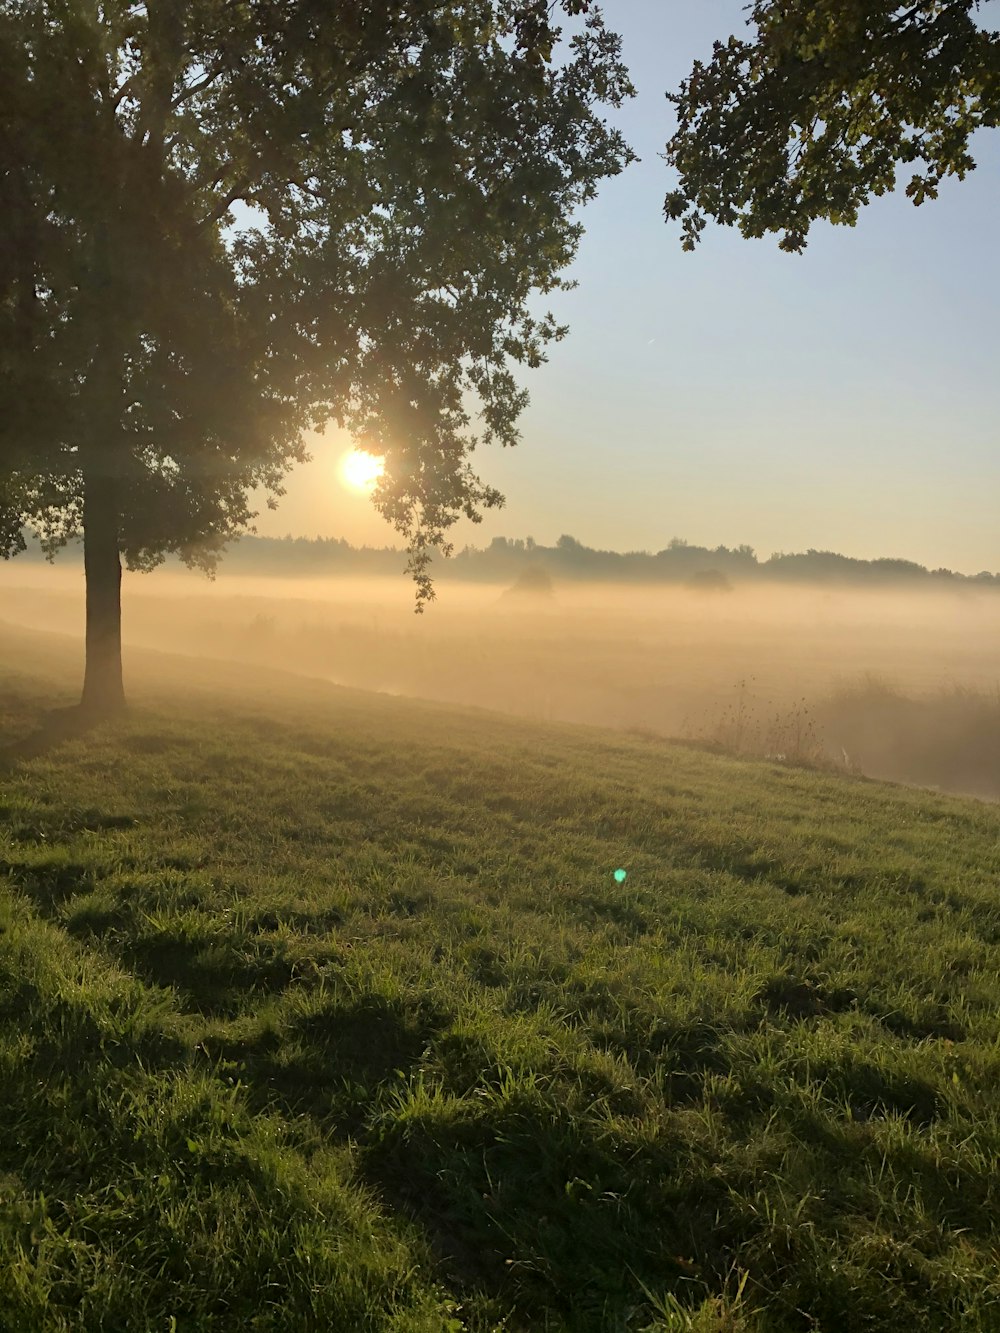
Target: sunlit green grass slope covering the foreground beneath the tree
[{"x": 327, "y": 1014}]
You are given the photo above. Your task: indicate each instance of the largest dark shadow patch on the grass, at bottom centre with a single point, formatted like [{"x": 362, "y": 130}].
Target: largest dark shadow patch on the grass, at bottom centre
[{"x": 537, "y": 1208}]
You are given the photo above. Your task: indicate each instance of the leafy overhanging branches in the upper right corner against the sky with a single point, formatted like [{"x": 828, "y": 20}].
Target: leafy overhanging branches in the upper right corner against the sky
[{"x": 817, "y": 113}]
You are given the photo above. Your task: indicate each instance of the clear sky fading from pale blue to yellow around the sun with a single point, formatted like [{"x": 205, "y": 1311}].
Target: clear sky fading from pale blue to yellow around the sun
[{"x": 847, "y": 399}]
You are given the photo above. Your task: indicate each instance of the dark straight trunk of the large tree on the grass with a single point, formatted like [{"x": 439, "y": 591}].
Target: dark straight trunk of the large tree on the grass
[{"x": 103, "y": 691}]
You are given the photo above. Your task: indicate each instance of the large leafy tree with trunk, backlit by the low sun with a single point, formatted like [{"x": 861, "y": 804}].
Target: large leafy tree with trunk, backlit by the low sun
[{"x": 411, "y": 173}]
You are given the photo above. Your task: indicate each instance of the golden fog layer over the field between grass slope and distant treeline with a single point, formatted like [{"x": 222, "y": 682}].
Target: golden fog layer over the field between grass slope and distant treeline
[{"x": 893, "y": 684}]
